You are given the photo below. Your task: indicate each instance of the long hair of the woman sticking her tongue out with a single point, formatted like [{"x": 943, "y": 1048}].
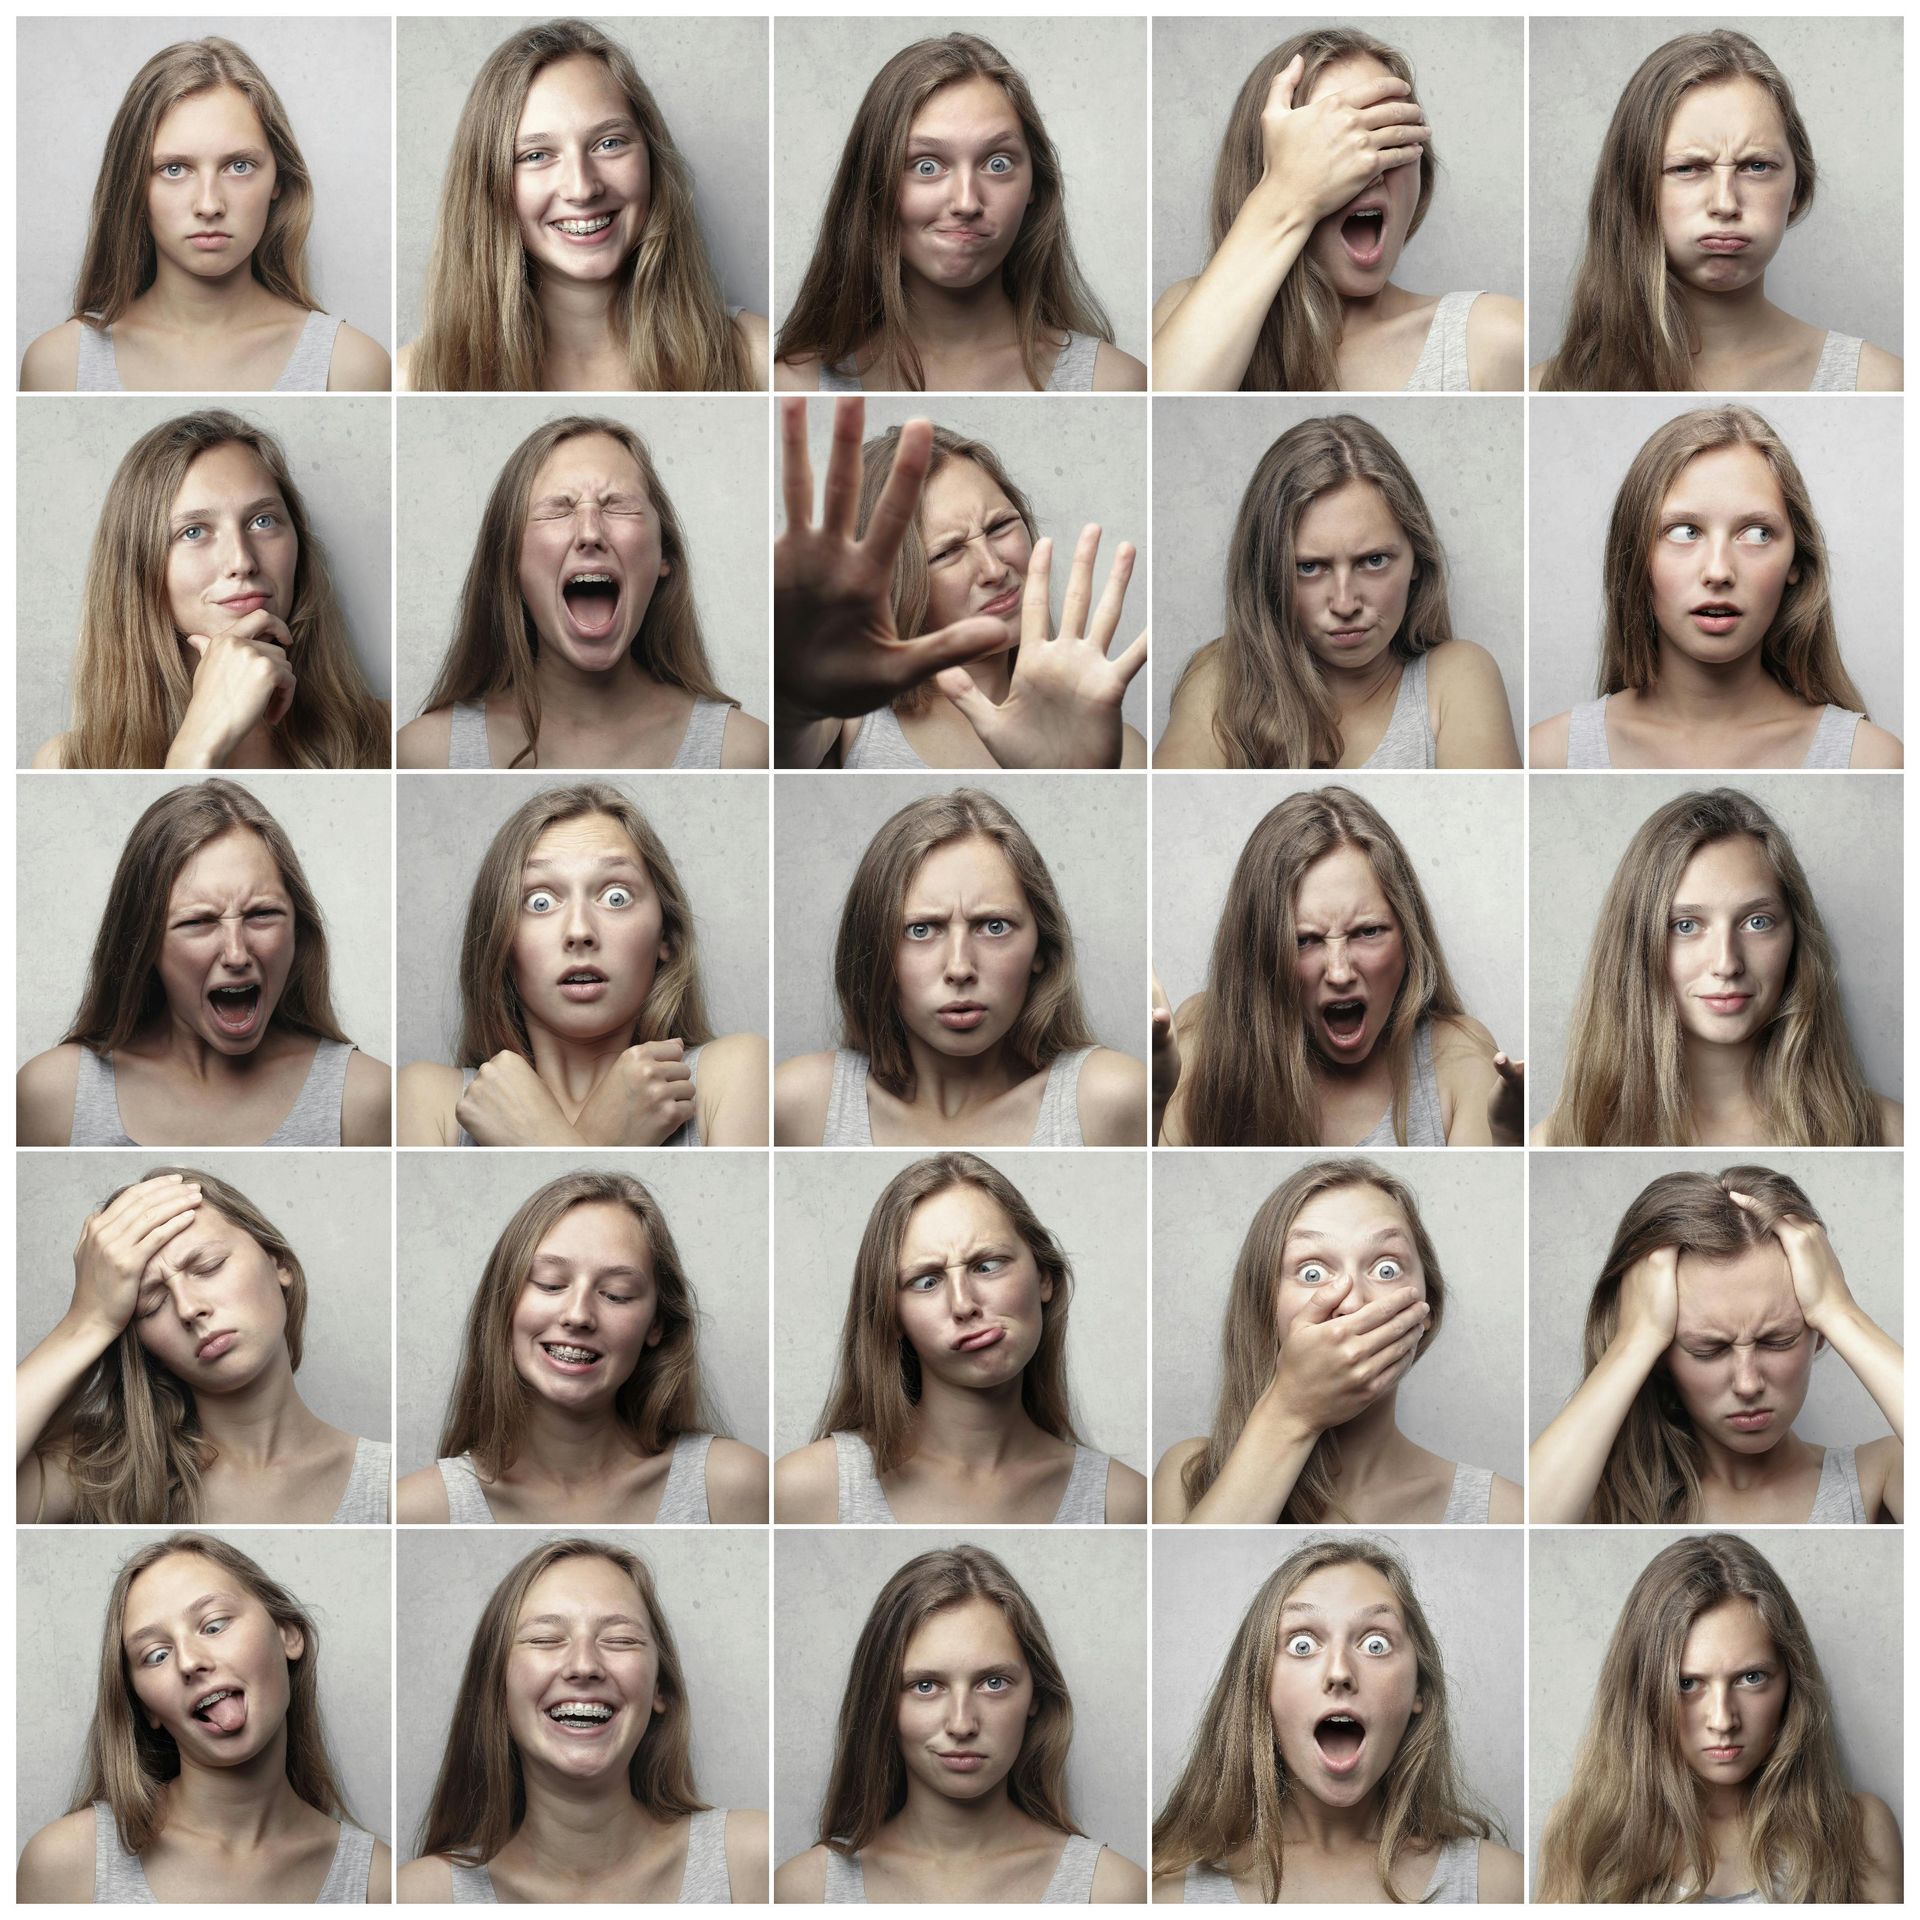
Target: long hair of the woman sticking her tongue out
[{"x": 130, "y": 1764}]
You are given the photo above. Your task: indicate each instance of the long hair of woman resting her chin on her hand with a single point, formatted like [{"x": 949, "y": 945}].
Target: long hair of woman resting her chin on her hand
[{"x": 132, "y": 681}]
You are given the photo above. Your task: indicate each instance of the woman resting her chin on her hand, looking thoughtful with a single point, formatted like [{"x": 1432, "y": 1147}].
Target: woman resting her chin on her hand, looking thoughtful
[{"x": 210, "y": 635}]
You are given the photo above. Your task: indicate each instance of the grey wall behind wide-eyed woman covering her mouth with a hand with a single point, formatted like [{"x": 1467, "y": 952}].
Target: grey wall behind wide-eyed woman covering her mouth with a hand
[{"x": 1462, "y": 1401}]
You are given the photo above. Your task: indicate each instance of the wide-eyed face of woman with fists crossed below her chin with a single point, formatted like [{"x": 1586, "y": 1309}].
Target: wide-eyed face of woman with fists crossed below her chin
[{"x": 588, "y": 930}]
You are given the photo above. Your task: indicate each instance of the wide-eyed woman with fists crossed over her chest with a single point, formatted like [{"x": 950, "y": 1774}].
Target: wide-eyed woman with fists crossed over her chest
[{"x": 583, "y": 1015}]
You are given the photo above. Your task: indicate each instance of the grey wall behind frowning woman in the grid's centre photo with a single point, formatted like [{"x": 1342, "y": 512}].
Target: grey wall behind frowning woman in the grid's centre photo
[{"x": 1090, "y": 830}]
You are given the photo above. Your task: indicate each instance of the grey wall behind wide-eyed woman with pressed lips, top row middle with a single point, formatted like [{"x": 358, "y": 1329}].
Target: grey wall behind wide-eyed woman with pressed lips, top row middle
[{"x": 1088, "y": 82}]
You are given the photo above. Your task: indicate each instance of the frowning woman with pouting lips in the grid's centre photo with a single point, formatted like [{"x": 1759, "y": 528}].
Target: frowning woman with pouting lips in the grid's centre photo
[{"x": 959, "y": 1001}]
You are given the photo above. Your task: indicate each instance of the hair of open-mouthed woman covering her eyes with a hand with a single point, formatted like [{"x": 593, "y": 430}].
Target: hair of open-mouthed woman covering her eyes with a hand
[{"x": 1295, "y": 350}]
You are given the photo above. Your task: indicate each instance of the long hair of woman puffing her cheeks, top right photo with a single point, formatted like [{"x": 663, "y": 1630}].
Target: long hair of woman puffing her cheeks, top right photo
[{"x": 1625, "y": 324}]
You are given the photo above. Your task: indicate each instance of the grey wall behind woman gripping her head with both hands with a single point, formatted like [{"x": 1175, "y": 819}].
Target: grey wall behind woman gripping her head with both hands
[{"x": 1579, "y": 1201}]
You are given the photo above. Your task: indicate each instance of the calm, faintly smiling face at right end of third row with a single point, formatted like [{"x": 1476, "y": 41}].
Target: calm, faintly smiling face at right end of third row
[{"x": 1729, "y": 942}]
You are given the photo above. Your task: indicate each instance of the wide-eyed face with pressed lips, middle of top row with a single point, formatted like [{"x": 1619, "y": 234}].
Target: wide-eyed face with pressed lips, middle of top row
[{"x": 965, "y": 187}]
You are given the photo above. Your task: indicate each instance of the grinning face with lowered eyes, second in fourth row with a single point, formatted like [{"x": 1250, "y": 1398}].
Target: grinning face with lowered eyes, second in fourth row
[{"x": 588, "y": 1308}]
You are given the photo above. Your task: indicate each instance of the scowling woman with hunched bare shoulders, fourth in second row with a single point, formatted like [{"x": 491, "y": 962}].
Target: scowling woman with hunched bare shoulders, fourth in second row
[{"x": 1339, "y": 646}]
